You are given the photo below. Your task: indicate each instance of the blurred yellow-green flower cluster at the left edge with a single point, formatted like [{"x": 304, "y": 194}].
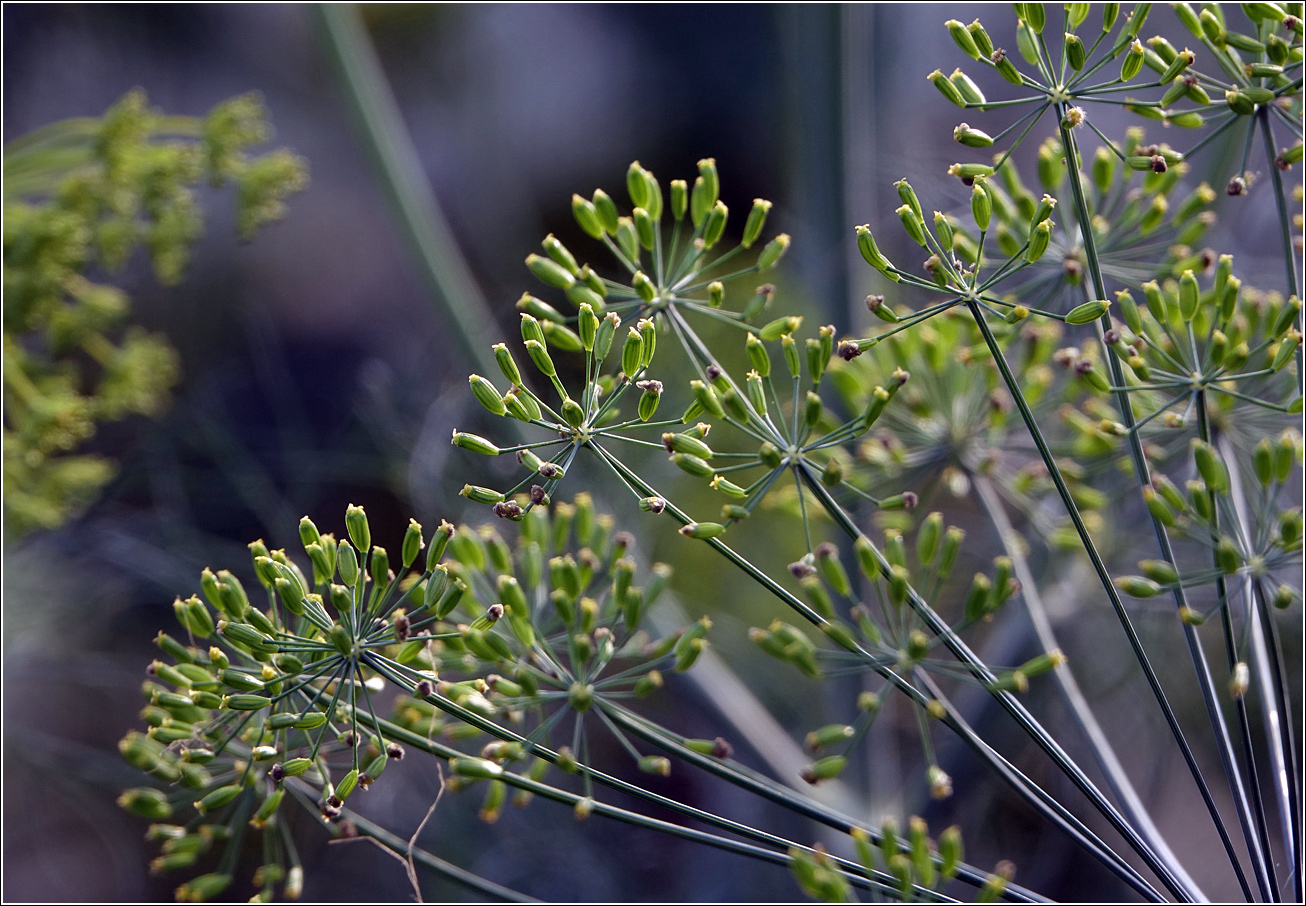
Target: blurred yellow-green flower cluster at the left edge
[{"x": 80, "y": 198}]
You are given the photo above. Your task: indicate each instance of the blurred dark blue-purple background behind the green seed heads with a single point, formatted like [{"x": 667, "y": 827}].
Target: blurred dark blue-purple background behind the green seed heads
[{"x": 319, "y": 370}]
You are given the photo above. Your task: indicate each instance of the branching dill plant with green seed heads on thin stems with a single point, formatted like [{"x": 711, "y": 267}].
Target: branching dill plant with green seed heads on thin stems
[{"x": 1043, "y": 398}]
